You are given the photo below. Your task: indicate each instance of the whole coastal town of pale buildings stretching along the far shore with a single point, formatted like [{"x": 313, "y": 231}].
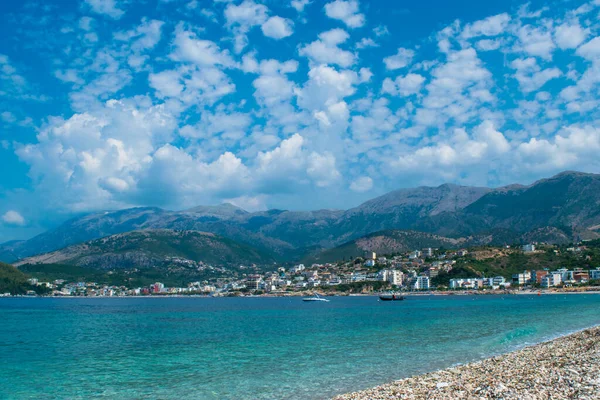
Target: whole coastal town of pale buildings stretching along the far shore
[{"x": 417, "y": 271}]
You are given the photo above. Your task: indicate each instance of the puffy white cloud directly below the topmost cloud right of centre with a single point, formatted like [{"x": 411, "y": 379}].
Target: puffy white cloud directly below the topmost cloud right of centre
[{"x": 326, "y": 50}]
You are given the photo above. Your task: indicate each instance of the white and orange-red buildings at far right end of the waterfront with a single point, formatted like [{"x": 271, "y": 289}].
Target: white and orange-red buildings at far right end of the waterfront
[{"x": 563, "y": 276}]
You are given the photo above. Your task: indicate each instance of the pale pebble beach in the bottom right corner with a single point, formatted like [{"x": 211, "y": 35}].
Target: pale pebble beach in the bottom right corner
[{"x": 564, "y": 368}]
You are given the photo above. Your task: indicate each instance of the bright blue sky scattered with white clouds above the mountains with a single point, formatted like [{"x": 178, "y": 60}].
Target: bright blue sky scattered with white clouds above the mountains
[{"x": 290, "y": 104}]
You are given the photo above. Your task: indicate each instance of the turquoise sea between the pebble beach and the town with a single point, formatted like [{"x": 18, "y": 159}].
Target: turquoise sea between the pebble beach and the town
[{"x": 259, "y": 348}]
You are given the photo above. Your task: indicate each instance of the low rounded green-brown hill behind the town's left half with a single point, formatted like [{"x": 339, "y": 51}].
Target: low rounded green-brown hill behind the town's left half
[{"x": 151, "y": 249}]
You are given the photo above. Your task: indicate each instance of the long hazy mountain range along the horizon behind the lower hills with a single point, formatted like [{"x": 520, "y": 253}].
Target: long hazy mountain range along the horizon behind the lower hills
[{"x": 557, "y": 209}]
